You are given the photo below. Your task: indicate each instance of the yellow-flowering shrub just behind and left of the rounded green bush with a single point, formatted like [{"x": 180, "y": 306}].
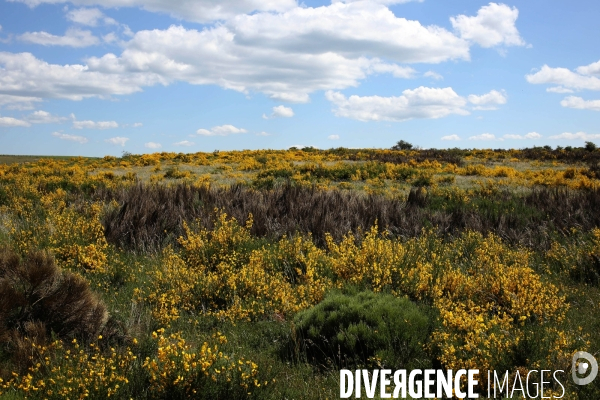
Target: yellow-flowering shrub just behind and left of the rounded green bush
[{"x": 220, "y": 275}]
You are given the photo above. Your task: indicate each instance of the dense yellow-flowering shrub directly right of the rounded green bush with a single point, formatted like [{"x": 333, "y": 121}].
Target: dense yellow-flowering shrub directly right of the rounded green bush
[{"x": 486, "y": 304}]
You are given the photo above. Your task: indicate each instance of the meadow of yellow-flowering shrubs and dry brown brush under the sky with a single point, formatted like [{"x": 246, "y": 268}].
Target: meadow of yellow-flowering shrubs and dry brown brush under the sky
[{"x": 259, "y": 274}]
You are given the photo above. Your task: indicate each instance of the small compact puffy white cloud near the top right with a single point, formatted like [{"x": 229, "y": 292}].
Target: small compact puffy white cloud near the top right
[{"x": 494, "y": 25}]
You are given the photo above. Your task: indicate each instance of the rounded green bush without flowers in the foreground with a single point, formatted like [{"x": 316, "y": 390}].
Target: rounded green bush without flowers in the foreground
[{"x": 363, "y": 329}]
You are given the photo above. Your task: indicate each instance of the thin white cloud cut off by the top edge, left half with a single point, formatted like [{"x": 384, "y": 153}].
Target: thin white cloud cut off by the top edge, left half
[{"x": 191, "y": 10}]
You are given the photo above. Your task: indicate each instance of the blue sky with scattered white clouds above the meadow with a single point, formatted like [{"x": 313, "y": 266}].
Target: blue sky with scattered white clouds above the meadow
[{"x": 95, "y": 78}]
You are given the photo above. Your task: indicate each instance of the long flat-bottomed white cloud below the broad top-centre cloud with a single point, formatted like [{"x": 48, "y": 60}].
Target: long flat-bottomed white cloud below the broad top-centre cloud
[{"x": 422, "y": 102}]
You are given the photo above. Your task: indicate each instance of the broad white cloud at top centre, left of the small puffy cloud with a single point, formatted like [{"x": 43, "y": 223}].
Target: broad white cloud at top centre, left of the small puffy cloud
[{"x": 362, "y": 28}]
